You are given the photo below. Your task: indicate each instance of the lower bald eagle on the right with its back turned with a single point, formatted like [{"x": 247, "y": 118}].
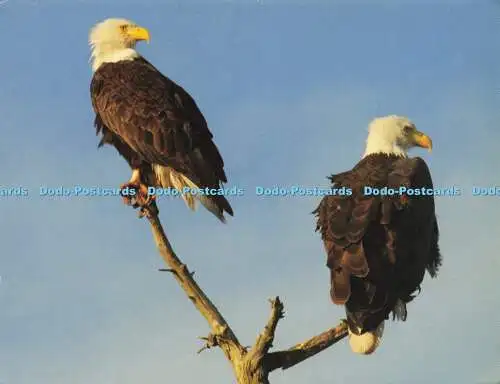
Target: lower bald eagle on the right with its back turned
[{"x": 379, "y": 247}]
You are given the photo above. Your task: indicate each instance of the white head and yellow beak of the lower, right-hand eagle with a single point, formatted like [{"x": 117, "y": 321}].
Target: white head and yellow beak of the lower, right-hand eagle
[{"x": 394, "y": 135}]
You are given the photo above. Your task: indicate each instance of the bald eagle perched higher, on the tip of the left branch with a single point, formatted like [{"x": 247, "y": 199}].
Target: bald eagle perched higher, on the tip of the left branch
[{"x": 151, "y": 121}]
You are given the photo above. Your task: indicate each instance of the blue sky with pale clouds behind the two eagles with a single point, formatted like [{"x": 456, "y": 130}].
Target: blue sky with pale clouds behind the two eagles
[{"x": 288, "y": 91}]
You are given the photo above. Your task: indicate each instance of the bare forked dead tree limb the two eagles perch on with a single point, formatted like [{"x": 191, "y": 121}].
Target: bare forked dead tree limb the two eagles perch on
[{"x": 250, "y": 366}]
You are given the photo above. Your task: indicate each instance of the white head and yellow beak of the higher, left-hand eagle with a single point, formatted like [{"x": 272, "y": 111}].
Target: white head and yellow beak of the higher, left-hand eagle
[{"x": 114, "y": 40}]
